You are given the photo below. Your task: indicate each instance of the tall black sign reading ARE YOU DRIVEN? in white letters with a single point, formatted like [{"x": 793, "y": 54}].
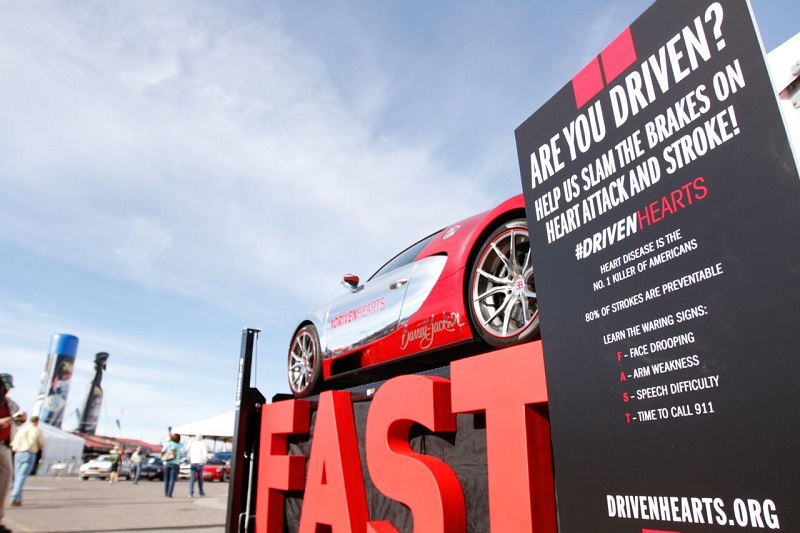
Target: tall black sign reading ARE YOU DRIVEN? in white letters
[{"x": 663, "y": 202}]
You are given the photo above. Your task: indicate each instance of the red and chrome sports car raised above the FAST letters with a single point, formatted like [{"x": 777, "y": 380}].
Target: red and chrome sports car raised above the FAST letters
[{"x": 470, "y": 282}]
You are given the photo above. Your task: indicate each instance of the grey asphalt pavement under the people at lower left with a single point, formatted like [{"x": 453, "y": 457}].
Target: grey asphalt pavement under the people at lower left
[{"x": 69, "y": 504}]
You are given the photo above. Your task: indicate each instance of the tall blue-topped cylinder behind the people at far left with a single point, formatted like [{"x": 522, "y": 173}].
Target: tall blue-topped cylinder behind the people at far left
[{"x": 57, "y": 377}]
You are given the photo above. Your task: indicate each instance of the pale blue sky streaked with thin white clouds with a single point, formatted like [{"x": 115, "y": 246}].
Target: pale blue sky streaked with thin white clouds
[{"x": 173, "y": 172}]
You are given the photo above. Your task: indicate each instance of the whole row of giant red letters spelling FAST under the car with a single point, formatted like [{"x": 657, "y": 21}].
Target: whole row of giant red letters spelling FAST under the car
[{"x": 520, "y": 469}]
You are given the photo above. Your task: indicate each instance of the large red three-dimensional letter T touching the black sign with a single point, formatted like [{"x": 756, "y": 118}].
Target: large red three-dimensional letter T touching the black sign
[{"x": 504, "y": 383}]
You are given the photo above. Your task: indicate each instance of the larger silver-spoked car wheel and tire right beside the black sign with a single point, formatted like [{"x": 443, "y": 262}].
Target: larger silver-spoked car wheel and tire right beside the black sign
[{"x": 501, "y": 297}]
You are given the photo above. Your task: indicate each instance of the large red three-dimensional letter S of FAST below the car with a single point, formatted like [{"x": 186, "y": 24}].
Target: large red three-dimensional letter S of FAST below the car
[{"x": 425, "y": 484}]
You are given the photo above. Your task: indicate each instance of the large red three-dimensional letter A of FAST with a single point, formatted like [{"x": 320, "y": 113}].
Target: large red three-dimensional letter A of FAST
[{"x": 335, "y": 494}]
